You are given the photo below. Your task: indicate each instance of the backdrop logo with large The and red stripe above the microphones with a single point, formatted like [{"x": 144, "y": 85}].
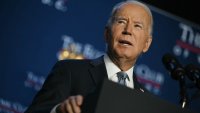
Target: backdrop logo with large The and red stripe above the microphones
[{"x": 189, "y": 42}]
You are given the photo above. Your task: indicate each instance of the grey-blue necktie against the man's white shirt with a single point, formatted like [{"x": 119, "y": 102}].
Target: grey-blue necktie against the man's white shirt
[{"x": 122, "y": 76}]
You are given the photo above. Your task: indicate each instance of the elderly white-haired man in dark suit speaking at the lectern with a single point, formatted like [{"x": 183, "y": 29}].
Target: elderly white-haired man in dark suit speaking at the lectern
[{"x": 127, "y": 34}]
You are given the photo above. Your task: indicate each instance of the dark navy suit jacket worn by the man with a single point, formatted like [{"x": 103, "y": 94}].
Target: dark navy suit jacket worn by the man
[{"x": 71, "y": 77}]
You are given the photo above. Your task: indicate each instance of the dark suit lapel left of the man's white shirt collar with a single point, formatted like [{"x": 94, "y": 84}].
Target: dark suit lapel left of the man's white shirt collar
[{"x": 98, "y": 70}]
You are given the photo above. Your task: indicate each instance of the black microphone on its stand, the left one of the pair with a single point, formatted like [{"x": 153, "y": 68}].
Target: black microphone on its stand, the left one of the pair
[{"x": 177, "y": 72}]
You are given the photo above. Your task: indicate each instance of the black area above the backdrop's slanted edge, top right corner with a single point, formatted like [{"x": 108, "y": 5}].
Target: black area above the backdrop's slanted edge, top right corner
[{"x": 182, "y": 8}]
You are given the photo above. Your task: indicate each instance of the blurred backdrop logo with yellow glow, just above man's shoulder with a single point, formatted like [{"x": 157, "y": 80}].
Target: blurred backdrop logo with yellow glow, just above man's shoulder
[{"x": 76, "y": 50}]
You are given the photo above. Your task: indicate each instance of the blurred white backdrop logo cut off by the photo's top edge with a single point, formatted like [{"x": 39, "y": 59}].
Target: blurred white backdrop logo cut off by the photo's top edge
[{"x": 60, "y": 5}]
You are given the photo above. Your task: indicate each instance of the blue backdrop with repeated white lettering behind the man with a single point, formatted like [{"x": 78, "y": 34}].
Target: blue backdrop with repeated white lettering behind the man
[{"x": 34, "y": 34}]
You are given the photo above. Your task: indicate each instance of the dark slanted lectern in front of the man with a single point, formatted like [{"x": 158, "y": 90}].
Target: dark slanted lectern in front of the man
[{"x": 114, "y": 98}]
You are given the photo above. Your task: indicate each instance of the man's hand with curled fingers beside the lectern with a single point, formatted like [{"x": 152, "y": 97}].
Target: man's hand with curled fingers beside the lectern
[{"x": 71, "y": 105}]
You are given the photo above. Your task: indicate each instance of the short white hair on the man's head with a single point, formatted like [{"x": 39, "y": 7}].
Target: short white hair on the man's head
[{"x": 117, "y": 6}]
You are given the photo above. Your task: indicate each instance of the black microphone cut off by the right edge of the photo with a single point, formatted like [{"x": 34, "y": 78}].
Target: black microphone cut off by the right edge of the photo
[{"x": 193, "y": 73}]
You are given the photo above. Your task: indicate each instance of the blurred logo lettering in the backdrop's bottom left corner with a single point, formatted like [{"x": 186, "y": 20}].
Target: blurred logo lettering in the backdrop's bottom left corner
[{"x": 11, "y": 107}]
